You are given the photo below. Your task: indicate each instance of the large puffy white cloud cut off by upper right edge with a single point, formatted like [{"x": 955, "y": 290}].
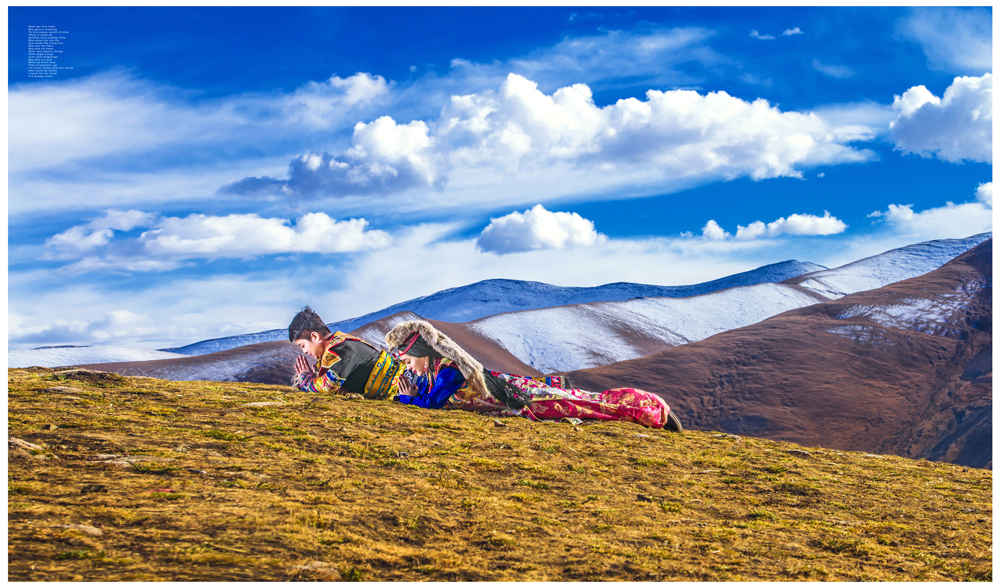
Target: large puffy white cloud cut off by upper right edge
[{"x": 956, "y": 128}]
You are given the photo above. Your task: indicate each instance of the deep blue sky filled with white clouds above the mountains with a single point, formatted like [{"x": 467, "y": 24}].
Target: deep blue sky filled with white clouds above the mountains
[{"x": 203, "y": 172}]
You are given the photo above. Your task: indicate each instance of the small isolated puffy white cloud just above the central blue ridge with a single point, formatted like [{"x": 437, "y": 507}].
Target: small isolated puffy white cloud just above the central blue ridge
[{"x": 538, "y": 228}]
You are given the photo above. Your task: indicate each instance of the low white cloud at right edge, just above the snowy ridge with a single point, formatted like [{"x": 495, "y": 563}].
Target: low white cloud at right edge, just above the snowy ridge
[{"x": 945, "y": 222}]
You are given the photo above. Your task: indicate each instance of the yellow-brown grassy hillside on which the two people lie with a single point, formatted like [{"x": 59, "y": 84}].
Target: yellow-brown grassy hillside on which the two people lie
[{"x": 143, "y": 479}]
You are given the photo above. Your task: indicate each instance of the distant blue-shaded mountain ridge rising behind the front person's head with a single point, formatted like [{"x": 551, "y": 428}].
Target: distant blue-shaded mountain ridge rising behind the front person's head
[{"x": 490, "y": 297}]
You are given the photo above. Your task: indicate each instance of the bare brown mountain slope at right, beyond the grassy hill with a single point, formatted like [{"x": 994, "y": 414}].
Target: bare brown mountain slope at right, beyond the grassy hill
[{"x": 905, "y": 369}]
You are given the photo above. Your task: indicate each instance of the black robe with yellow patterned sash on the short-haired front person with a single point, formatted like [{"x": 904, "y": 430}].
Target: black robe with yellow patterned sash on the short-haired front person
[{"x": 352, "y": 365}]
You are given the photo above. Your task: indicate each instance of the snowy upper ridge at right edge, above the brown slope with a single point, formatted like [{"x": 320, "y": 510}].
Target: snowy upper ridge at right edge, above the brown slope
[{"x": 886, "y": 268}]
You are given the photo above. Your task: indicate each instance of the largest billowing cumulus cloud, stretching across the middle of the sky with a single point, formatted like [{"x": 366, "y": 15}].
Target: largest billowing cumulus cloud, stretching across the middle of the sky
[{"x": 680, "y": 134}]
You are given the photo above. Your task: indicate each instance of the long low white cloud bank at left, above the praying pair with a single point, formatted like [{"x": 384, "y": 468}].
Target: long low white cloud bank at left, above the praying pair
[{"x": 170, "y": 240}]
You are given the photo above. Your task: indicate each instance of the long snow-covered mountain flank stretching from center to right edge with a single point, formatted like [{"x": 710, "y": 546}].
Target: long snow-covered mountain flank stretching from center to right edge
[{"x": 589, "y": 335}]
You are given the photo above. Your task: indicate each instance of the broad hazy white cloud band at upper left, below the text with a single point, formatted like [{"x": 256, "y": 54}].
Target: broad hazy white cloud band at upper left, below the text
[{"x": 65, "y": 121}]
